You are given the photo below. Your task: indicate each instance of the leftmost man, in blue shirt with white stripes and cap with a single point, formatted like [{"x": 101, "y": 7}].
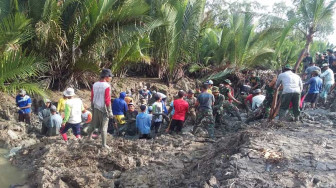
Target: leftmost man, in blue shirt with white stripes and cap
[{"x": 23, "y": 102}]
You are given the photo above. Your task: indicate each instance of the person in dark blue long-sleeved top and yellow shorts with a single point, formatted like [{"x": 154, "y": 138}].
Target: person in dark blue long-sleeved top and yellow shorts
[{"x": 119, "y": 108}]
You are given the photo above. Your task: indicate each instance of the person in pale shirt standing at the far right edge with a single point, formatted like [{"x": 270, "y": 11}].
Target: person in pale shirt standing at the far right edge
[{"x": 328, "y": 81}]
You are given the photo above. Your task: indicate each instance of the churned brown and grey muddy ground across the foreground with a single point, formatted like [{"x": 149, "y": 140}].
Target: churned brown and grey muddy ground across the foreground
[{"x": 261, "y": 154}]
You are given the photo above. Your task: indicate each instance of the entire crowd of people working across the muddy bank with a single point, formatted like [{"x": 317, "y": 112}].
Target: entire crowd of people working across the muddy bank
[{"x": 203, "y": 107}]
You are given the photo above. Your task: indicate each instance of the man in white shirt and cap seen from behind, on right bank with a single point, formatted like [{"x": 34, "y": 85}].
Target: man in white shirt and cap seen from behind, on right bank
[{"x": 292, "y": 88}]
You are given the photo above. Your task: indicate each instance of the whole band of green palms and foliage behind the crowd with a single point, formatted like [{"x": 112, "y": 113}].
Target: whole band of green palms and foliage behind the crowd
[{"x": 68, "y": 41}]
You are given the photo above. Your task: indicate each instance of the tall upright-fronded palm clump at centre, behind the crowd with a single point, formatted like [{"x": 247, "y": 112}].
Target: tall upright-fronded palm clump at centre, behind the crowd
[{"x": 175, "y": 42}]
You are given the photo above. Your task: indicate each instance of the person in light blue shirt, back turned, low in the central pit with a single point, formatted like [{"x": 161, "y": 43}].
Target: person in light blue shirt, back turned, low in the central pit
[{"x": 143, "y": 123}]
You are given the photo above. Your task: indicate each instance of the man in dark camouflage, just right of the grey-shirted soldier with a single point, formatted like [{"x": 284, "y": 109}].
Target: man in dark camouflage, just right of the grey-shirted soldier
[{"x": 218, "y": 107}]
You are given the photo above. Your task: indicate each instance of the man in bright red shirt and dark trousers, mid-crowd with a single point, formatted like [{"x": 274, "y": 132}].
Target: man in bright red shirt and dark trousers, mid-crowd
[{"x": 181, "y": 108}]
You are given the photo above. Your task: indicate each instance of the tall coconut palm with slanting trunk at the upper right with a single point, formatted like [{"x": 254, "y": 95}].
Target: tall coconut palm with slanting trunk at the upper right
[{"x": 314, "y": 18}]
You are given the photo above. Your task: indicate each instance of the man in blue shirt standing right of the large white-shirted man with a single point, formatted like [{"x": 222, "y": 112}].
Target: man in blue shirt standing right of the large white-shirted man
[{"x": 315, "y": 87}]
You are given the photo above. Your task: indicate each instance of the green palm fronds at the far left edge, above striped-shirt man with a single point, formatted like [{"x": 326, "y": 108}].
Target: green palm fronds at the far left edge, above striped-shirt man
[{"x": 17, "y": 66}]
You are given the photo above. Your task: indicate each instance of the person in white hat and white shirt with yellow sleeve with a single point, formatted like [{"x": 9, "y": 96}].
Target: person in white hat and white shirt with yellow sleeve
[{"x": 72, "y": 115}]
